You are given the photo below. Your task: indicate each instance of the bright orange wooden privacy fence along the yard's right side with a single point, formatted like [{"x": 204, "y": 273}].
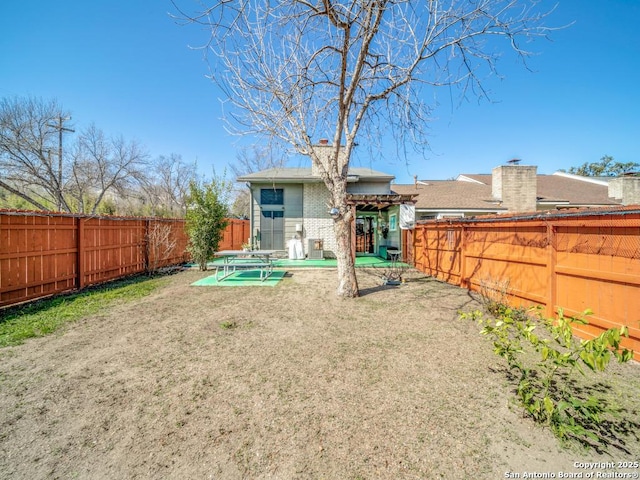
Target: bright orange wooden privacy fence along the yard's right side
[{"x": 588, "y": 259}]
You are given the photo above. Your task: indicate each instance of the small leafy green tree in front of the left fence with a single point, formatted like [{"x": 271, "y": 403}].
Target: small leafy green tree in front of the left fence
[{"x": 206, "y": 220}]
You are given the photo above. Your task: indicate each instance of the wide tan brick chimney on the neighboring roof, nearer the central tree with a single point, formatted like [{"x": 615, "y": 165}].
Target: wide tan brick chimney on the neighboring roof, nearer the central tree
[{"x": 516, "y": 186}]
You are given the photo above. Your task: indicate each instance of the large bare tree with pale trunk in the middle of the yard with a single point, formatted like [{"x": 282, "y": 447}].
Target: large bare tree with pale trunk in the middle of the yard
[{"x": 299, "y": 70}]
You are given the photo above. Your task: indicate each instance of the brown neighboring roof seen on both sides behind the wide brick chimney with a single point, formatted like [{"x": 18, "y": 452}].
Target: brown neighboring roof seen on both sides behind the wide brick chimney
[{"x": 559, "y": 188}]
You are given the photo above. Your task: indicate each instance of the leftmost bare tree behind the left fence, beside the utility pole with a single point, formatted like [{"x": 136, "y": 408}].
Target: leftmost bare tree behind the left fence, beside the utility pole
[{"x": 29, "y": 147}]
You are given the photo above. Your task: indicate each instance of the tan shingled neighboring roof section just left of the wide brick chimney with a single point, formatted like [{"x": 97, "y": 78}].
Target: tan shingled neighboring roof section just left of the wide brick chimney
[{"x": 450, "y": 195}]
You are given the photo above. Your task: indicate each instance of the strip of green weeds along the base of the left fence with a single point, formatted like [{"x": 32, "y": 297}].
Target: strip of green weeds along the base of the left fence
[{"x": 37, "y": 319}]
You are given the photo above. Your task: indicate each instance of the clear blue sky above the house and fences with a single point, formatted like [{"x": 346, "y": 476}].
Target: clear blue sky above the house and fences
[{"x": 127, "y": 67}]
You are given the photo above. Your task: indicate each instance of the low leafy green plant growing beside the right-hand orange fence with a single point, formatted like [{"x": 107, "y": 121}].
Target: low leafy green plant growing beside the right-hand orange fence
[{"x": 544, "y": 356}]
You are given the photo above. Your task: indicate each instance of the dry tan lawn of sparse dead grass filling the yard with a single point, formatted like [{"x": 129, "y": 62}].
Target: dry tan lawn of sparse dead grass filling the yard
[{"x": 284, "y": 382}]
